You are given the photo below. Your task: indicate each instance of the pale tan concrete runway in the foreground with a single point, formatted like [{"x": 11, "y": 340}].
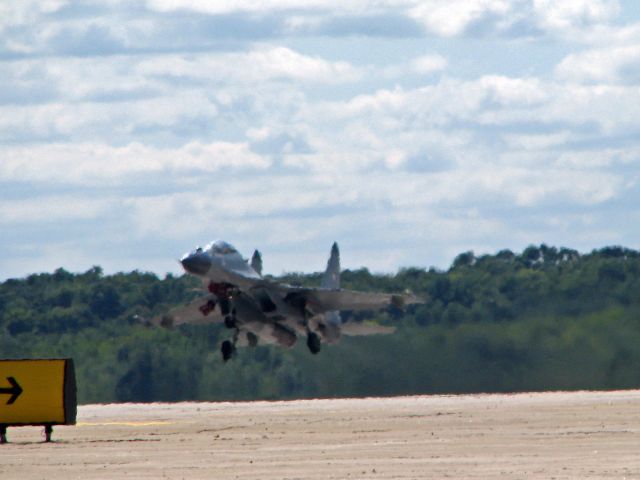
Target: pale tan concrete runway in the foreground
[{"x": 561, "y": 435}]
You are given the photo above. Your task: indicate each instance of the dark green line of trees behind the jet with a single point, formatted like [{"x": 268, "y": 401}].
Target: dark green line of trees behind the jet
[{"x": 543, "y": 319}]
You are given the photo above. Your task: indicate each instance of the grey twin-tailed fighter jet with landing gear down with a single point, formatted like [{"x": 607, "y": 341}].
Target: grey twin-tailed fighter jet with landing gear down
[{"x": 258, "y": 310}]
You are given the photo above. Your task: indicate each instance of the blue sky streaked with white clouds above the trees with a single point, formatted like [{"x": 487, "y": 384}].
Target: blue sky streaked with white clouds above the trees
[{"x": 407, "y": 130}]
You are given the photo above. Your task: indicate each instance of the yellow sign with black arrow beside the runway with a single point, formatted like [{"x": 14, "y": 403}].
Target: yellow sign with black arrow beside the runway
[{"x": 37, "y": 392}]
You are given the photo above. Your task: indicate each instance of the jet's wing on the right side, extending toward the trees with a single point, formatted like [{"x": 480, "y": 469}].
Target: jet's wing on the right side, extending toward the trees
[{"x": 324, "y": 300}]
